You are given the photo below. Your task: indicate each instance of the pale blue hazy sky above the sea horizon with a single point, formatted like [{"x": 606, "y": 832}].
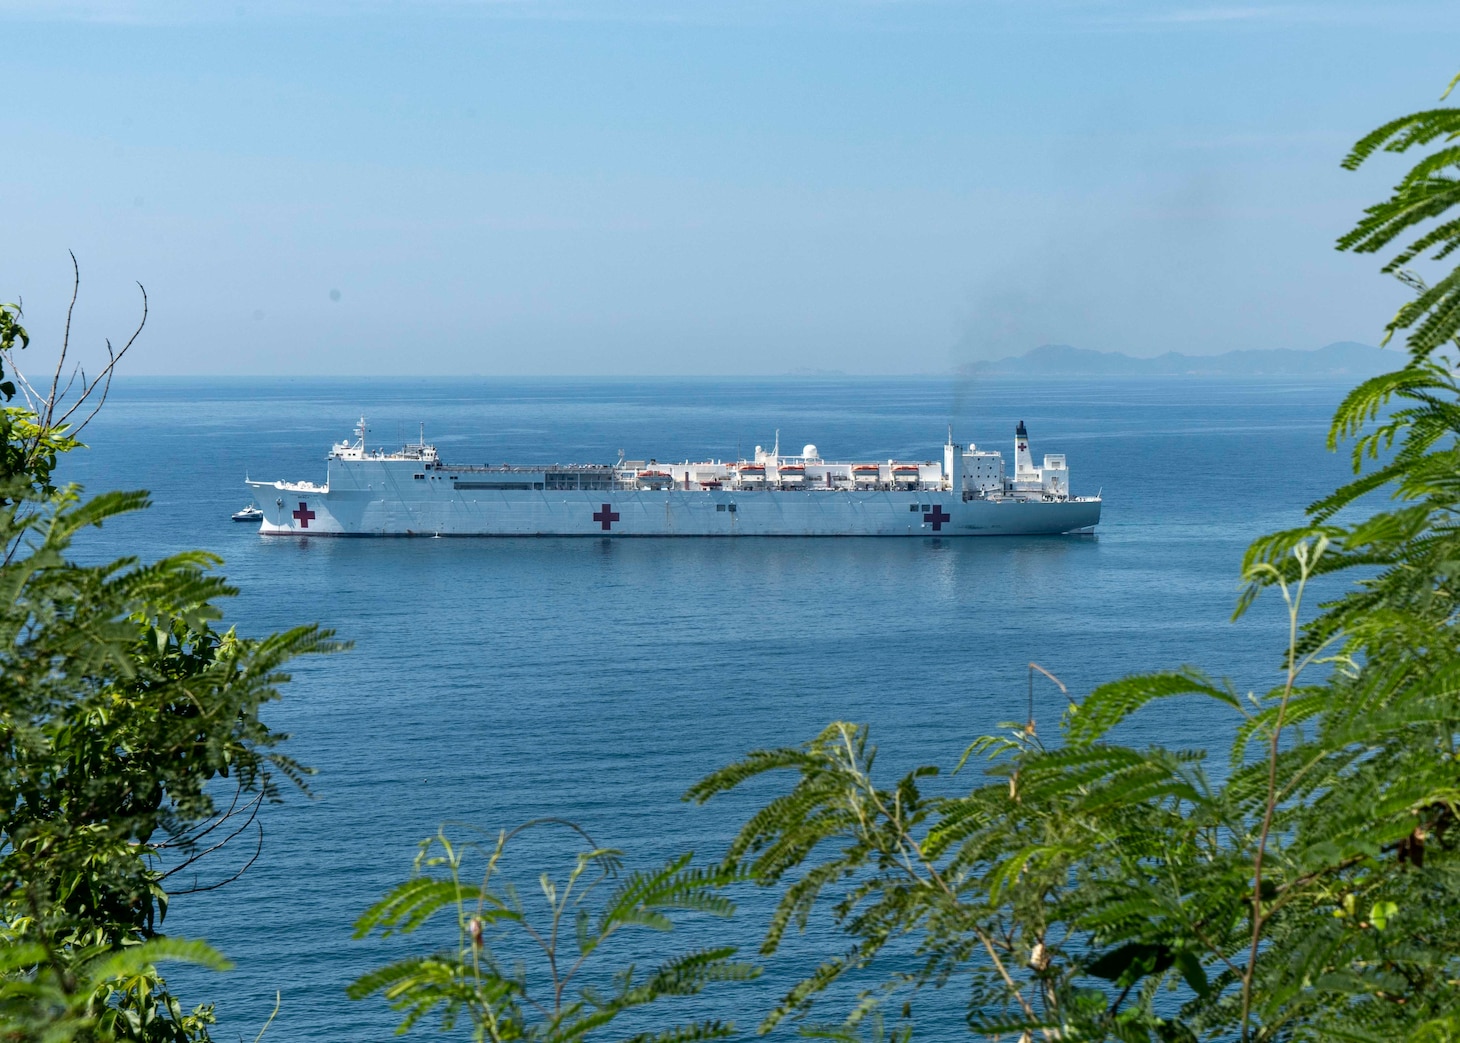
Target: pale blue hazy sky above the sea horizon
[{"x": 694, "y": 188}]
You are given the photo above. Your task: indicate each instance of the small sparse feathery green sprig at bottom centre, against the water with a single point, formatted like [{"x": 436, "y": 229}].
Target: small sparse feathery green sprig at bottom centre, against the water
[{"x": 478, "y": 978}]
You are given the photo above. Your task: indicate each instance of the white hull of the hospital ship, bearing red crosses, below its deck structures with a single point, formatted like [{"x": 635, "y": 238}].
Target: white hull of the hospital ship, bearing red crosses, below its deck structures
[{"x": 669, "y": 513}]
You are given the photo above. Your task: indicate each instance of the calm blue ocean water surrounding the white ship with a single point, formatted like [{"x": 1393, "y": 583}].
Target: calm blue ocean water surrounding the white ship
[{"x": 500, "y": 680}]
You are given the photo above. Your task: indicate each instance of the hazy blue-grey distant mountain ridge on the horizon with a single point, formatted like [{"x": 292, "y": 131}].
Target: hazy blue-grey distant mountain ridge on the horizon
[{"x": 1344, "y": 360}]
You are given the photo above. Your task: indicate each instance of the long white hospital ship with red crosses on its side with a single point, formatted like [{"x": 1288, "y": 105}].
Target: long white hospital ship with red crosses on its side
[{"x": 412, "y": 493}]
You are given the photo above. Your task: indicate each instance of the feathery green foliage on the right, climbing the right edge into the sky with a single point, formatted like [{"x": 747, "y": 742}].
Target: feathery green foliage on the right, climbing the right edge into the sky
[{"x": 1091, "y": 890}]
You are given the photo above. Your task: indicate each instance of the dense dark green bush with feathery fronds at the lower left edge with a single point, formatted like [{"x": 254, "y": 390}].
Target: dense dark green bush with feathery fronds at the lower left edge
[{"x": 120, "y": 711}]
